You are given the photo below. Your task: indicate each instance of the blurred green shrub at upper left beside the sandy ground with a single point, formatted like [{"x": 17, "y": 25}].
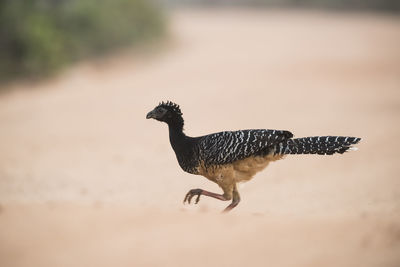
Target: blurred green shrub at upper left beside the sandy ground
[{"x": 38, "y": 37}]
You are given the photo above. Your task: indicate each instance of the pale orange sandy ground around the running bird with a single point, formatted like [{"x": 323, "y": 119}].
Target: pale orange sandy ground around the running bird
[{"x": 85, "y": 180}]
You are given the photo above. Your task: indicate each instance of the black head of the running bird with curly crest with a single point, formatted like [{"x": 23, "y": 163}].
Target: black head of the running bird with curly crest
[{"x": 168, "y": 112}]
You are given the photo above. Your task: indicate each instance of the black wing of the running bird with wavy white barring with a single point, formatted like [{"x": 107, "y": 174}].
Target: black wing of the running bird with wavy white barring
[{"x": 227, "y": 147}]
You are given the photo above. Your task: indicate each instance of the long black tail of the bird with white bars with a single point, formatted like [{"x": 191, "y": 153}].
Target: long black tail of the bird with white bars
[{"x": 322, "y": 145}]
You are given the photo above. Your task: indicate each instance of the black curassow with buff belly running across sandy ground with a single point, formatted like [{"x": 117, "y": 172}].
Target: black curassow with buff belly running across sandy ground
[{"x": 230, "y": 157}]
